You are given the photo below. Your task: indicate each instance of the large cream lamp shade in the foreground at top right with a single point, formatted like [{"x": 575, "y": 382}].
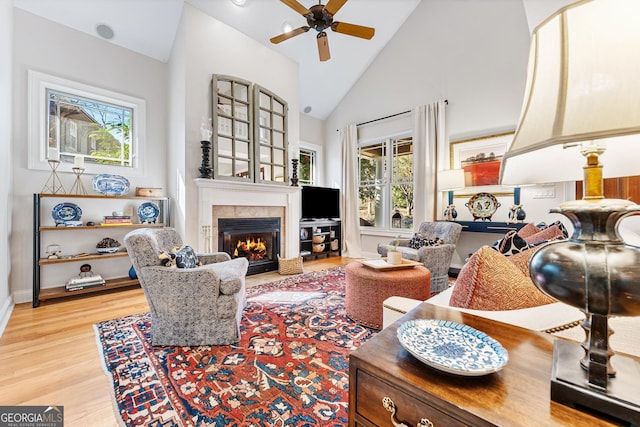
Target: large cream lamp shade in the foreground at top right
[{"x": 583, "y": 84}]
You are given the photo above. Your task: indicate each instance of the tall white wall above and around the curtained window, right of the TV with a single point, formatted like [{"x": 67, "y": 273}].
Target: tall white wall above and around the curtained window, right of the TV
[{"x": 474, "y": 54}]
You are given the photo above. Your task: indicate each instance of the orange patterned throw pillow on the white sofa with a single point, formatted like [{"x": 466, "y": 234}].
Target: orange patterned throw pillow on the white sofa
[{"x": 489, "y": 281}]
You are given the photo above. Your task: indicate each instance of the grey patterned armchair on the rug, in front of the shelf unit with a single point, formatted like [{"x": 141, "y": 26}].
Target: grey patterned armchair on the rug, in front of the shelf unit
[{"x": 189, "y": 306}]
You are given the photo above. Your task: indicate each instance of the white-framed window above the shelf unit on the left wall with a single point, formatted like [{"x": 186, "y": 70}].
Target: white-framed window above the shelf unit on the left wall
[{"x": 103, "y": 127}]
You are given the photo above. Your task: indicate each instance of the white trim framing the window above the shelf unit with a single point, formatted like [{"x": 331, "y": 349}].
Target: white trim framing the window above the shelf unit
[{"x": 39, "y": 83}]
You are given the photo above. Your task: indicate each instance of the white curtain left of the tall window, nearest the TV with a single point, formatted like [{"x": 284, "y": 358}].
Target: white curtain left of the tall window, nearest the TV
[{"x": 349, "y": 205}]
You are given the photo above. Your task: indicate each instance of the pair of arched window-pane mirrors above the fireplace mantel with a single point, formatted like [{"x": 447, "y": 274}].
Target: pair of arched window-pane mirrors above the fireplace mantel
[{"x": 249, "y": 132}]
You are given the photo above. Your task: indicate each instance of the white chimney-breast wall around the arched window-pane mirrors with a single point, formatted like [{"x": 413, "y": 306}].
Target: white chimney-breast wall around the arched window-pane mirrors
[{"x": 212, "y": 47}]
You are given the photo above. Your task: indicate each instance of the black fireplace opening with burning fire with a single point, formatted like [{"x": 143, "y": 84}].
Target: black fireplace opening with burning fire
[{"x": 256, "y": 239}]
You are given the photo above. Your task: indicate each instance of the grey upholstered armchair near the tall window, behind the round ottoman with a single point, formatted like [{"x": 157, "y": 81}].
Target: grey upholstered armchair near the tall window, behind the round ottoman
[{"x": 436, "y": 258}]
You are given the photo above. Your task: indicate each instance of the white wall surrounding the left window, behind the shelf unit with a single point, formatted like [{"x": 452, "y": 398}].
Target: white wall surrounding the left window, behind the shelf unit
[{"x": 51, "y": 48}]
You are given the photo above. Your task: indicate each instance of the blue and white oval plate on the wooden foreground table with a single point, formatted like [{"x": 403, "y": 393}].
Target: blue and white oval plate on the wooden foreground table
[{"x": 452, "y": 347}]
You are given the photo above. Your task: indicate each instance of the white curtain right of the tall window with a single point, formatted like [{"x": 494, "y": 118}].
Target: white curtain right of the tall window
[{"x": 429, "y": 140}]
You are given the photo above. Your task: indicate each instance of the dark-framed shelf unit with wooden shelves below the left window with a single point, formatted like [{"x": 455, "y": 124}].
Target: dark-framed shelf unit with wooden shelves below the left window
[{"x": 39, "y": 262}]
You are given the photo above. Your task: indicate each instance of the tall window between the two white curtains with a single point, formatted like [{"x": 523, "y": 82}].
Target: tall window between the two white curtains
[{"x": 386, "y": 183}]
